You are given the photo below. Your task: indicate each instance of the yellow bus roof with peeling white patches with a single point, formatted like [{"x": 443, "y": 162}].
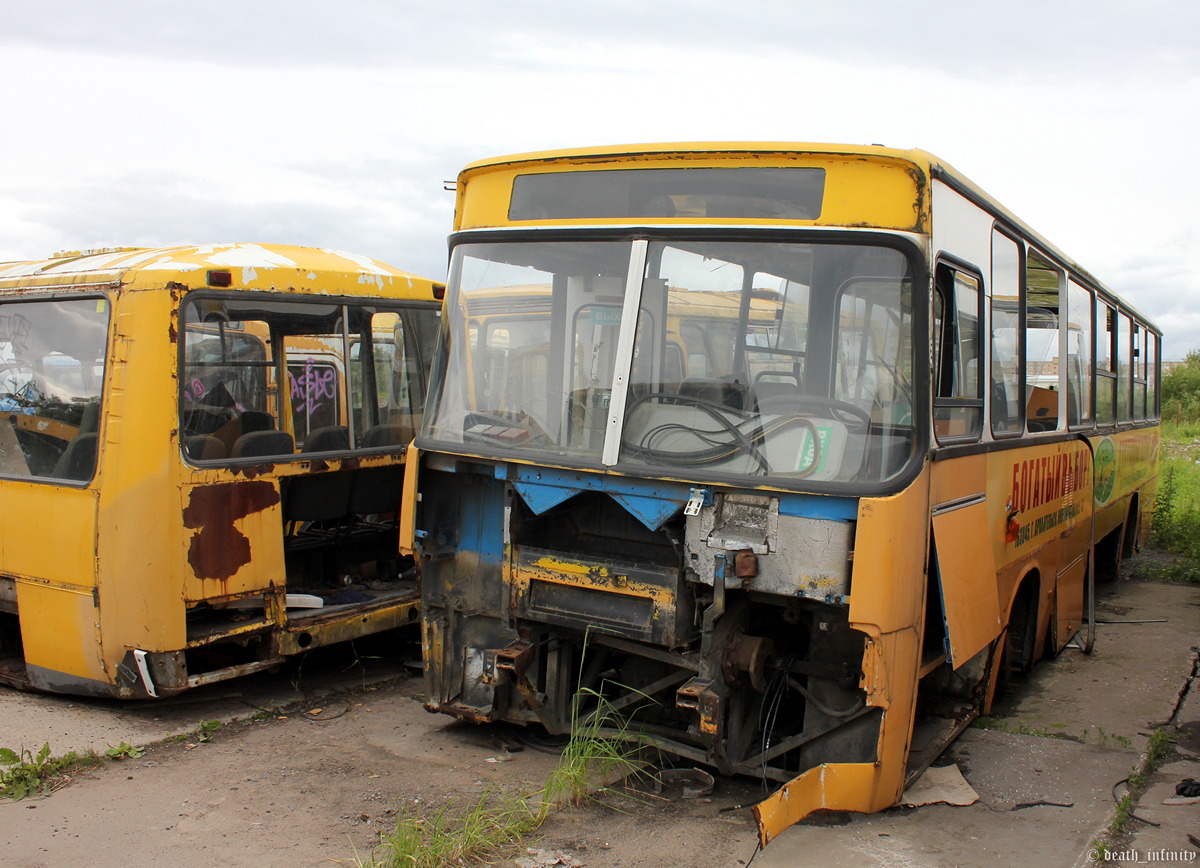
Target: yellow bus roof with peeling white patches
[{"x": 251, "y": 267}]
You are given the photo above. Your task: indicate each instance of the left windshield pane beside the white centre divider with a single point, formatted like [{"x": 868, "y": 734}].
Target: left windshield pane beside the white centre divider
[{"x": 513, "y": 380}]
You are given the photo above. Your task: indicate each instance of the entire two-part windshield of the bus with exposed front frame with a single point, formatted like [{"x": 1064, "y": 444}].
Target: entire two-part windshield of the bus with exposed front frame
[{"x": 749, "y": 358}]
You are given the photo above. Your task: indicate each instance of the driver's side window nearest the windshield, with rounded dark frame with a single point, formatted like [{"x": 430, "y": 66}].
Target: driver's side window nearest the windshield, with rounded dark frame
[{"x": 958, "y": 399}]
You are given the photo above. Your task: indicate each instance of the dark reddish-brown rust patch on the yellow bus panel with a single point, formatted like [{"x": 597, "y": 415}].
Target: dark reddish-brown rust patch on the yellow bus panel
[{"x": 220, "y": 549}]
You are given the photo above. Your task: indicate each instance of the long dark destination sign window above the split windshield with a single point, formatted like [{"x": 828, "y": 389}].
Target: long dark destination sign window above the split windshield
[{"x": 733, "y": 194}]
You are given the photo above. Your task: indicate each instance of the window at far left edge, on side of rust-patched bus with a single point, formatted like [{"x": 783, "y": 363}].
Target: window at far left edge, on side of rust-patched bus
[{"x": 52, "y": 374}]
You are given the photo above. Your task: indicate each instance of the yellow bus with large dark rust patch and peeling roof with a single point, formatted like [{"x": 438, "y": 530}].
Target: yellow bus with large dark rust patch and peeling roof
[{"x": 201, "y": 453}]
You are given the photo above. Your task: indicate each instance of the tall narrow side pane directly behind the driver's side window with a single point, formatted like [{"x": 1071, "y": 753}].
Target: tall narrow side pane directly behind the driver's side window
[{"x": 1007, "y": 404}]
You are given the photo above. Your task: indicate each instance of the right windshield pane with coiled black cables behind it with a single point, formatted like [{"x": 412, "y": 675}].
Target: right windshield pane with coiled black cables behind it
[{"x": 753, "y": 400}]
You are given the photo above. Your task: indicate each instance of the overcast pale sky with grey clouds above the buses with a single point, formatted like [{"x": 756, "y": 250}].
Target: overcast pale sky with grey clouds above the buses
[{"x": 335, "y": 124}]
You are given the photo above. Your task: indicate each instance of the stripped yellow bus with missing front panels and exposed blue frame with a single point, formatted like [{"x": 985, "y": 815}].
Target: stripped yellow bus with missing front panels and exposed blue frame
[{"x": 814, "y": 447}]
